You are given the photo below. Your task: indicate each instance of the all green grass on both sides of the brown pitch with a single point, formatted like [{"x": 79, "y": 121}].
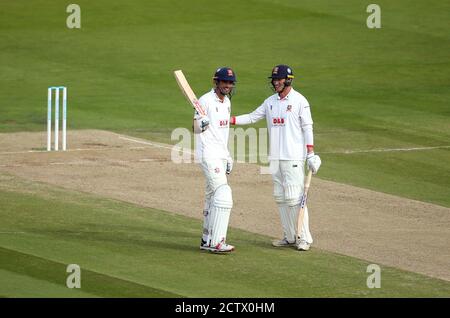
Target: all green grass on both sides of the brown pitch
[{"x": 369, "y": 89}]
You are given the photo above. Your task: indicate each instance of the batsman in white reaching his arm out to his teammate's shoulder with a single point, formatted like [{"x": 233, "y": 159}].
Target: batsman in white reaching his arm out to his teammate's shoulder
[{"x": 290, "y": 124}]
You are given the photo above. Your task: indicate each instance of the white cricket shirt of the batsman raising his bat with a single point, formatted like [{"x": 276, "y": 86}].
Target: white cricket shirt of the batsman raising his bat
[{"x": 213, "y": 142}]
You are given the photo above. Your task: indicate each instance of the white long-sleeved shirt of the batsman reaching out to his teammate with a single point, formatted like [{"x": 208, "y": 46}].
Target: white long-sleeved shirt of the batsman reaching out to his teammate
[{"x": 287, "y": 121}]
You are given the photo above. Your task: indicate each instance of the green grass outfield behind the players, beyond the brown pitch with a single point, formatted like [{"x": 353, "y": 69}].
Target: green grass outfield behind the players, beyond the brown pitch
[{"x": 369, "y": 89}]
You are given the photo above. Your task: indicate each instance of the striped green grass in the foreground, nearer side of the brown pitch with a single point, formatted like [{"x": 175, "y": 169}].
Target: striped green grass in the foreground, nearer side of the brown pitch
[{"x": 128, "y": 251}]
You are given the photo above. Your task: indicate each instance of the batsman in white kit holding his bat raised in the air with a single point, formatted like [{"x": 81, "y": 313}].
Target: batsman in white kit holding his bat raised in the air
[{"x": 212, "y": 153}]
